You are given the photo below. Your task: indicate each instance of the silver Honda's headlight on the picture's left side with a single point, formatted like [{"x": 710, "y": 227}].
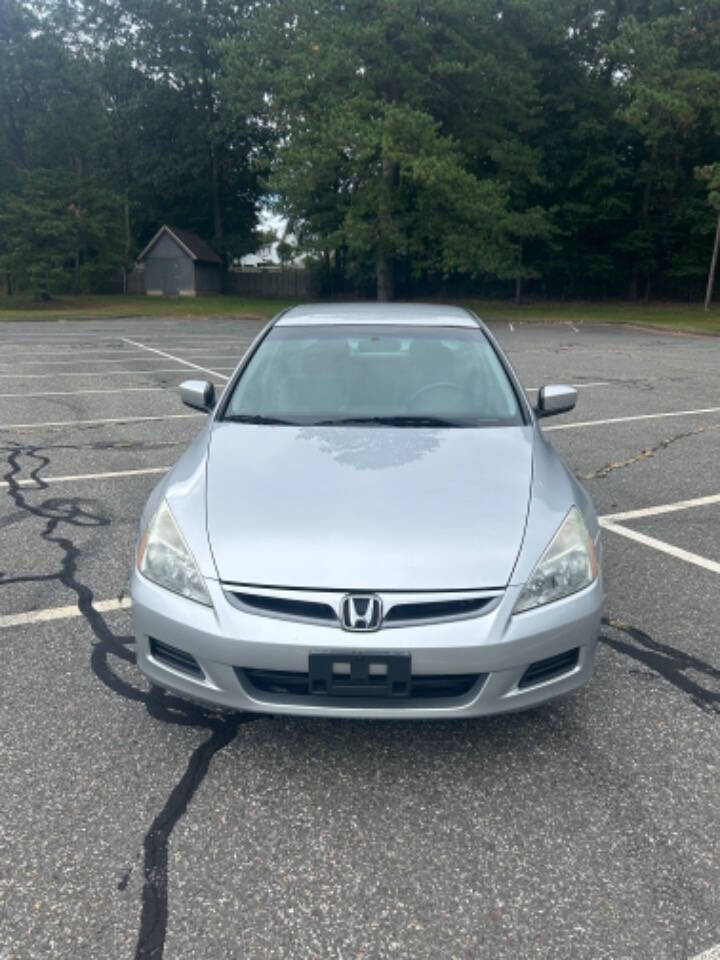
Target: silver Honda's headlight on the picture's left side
[{"x": 165, "y": 558}]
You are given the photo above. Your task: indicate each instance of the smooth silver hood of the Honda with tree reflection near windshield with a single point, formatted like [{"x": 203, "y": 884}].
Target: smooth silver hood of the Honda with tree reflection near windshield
[{"x": 367, "y": 508}]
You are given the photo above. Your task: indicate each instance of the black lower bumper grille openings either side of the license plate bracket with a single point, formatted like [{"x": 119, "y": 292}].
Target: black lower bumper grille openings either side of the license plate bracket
[{"x": 281, "y": 683}]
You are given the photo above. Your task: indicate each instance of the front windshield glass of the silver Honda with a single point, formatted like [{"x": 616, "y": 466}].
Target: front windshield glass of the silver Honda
[{"x": 380, "y": 375}]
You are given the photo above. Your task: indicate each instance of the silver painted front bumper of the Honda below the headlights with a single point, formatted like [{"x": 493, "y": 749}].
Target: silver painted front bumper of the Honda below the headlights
[{"x": 494, "y": 644}]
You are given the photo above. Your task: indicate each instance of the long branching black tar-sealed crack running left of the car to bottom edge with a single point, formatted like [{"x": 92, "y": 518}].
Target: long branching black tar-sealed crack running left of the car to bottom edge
[{"x": 76, "y": 512}]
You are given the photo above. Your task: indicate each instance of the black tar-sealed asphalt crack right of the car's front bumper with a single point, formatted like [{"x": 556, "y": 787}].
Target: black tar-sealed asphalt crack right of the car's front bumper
[{"x": 667, "y": 662}]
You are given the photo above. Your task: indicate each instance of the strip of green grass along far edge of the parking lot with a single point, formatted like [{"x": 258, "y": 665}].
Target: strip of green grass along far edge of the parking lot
[{"x": 669, "y": 316}]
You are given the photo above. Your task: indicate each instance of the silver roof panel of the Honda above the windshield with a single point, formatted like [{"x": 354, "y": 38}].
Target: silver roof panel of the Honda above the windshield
[{"x": 416, "y": 314}]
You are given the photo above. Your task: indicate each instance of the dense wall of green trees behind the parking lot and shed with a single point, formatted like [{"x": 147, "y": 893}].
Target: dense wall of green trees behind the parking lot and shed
[{"x": 454, "y": 147}]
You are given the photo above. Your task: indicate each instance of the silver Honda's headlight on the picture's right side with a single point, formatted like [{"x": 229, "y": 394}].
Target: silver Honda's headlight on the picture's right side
[{"x": 568, "y": 565}]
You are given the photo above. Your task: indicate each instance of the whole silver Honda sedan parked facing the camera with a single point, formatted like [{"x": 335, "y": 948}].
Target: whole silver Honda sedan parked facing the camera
[{"x": 370, "y": 524}]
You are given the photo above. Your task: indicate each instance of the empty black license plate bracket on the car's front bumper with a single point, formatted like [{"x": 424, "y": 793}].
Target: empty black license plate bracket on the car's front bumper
[{"x": 359, "y": 674}]
